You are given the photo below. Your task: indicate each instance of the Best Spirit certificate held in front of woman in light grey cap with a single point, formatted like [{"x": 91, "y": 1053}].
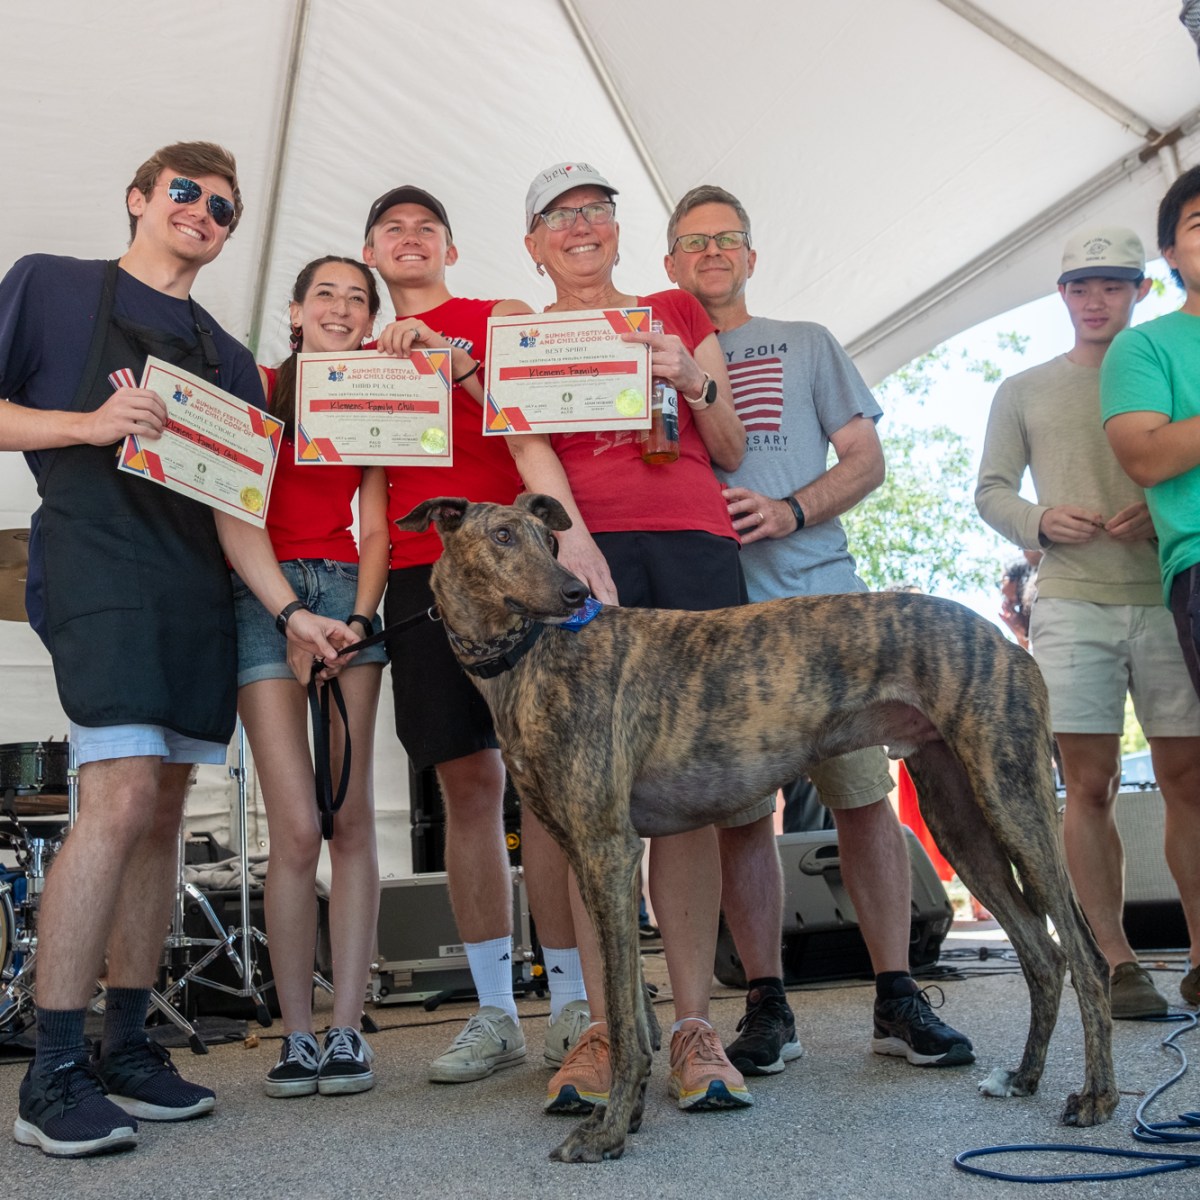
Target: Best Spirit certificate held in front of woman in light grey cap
[{"x": 567, "y": 373}]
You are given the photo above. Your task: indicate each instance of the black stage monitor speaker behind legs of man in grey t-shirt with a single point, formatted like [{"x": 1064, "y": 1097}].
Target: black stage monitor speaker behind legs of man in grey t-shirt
[{"x": 821, "y": 934}]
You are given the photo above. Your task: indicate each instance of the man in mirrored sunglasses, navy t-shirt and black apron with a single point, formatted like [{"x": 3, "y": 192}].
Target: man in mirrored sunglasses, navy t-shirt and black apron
[{"x": 130, "y": 591}]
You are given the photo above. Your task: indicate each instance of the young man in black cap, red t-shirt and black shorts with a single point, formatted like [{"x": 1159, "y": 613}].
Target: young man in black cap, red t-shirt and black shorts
[{"x": 441, "y": 718}]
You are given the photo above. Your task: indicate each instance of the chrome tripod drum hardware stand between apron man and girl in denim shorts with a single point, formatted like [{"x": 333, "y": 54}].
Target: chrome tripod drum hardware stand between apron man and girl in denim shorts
[{"x": 245, "y": 937}]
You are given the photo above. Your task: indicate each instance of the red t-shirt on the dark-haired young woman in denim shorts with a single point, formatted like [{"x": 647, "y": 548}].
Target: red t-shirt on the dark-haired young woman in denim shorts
[{"x": 311, "y": 512}]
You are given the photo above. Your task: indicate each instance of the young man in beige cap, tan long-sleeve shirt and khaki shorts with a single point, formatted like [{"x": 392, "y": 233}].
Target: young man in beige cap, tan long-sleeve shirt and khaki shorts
[{"x": 1099, "y": 628}]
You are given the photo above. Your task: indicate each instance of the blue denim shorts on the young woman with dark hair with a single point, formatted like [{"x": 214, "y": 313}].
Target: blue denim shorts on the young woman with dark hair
[{"x": 327, "y": 587}]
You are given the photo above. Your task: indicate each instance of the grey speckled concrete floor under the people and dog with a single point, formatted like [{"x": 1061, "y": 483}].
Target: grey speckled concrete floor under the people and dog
[{"x": 841, "y": 1123}]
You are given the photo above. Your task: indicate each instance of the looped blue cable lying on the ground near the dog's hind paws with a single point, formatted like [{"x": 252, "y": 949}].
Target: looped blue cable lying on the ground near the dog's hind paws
[{"x": 1150, "y": 1132}]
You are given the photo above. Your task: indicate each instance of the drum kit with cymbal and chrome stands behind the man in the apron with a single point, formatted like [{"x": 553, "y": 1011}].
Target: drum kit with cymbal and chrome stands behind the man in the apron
[{"x": 39, "y": 806}]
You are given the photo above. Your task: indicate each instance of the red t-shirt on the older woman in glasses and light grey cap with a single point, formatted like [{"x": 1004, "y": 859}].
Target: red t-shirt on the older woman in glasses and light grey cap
[{"x": 615, "y": 490}]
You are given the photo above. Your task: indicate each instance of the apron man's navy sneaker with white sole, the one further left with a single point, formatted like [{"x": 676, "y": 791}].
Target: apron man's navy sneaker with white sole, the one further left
[{"x": 68, "y": 1114}]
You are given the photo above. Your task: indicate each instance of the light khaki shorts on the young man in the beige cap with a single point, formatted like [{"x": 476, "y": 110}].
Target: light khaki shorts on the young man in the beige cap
[{"x": 1091, "y": 655}]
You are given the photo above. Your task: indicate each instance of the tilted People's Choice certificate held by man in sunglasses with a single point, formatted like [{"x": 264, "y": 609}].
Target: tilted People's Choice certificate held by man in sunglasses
[{"x": 215, "y": 448}]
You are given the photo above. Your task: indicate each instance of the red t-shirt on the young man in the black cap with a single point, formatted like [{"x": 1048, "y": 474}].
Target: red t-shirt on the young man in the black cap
[{"x": 483, "y": 467}]
